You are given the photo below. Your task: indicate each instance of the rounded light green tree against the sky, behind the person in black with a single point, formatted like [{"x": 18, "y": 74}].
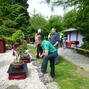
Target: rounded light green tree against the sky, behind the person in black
[{"x": 37, "y": 21}]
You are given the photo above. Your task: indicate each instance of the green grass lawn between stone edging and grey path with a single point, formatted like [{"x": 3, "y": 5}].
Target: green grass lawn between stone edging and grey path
[{"x": 66, "y": 75}]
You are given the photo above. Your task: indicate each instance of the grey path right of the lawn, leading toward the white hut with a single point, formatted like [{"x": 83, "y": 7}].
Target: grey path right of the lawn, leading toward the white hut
[{"x": 72, "y": 56}]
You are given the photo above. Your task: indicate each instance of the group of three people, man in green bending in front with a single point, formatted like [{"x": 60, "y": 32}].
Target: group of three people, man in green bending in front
[{"x": 47, "y": 49}]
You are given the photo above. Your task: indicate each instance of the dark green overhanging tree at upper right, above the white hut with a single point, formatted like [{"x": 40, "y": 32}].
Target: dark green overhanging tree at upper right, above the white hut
[{"x": 82, "y": 7}]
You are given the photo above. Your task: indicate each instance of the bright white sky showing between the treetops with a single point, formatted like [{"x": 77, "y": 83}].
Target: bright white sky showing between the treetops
[{"x": 43, "y": 8}]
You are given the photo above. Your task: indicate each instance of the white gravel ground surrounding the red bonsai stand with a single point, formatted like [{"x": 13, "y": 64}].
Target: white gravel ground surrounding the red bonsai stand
[{"x": 31, "y": 82}]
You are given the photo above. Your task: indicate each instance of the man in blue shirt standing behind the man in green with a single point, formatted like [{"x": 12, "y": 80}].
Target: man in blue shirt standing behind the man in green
[{"x": 55, "y": 41}]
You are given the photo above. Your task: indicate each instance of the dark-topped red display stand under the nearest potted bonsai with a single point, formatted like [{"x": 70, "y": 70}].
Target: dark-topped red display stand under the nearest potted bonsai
[{"x": 17, "y": 73}]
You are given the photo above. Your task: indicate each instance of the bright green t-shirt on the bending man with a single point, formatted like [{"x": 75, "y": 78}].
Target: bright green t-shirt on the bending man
[{"x": 47, "y": 46}]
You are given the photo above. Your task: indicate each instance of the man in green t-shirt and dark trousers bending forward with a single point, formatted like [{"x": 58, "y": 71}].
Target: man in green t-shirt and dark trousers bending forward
[{"x": 49, "y": 54}]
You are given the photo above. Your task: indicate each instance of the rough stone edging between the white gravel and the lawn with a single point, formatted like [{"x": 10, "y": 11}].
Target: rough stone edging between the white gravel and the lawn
[{"x": 46, "y": 79}]
